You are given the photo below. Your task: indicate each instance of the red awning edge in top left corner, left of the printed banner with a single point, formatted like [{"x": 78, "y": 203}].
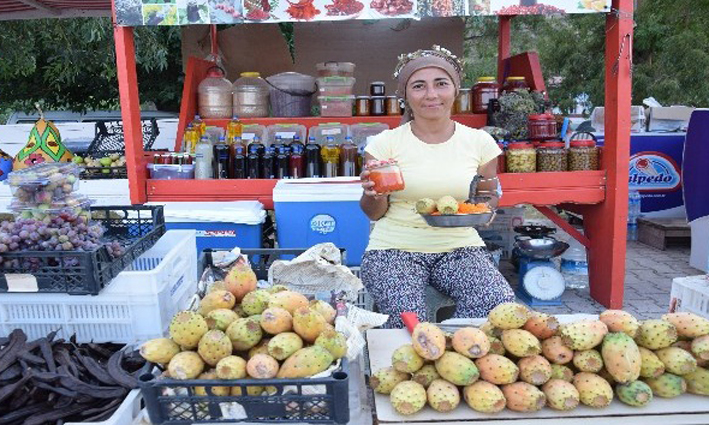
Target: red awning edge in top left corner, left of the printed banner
[{"x": 35, "y": 9}]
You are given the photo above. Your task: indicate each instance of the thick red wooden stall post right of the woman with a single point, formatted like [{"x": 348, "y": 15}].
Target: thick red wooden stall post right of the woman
[{"x": 606, "y": 223}]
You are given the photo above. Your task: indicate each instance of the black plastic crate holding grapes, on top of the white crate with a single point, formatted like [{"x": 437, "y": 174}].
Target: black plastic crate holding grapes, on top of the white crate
[{"x": 137, "y": 228}]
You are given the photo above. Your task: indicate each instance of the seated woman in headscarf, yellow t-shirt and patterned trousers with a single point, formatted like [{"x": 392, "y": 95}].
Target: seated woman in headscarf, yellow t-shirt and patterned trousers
[{"x": 437, "y": 157}]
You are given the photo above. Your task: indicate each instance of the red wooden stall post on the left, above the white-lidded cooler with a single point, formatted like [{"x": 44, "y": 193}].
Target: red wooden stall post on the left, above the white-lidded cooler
[{"x": 130, "y": 110}]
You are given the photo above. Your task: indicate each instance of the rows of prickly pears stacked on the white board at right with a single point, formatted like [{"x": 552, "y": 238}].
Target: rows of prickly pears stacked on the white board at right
[{"x": 524, "y": 360}]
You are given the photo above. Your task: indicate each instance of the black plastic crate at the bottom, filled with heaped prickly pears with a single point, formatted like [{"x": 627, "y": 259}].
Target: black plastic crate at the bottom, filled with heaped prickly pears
[{"x": 290, "y": 401}]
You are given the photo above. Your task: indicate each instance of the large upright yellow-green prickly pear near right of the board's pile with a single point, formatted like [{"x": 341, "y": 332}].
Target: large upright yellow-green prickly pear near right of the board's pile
[{"x": 621, "y": 357}]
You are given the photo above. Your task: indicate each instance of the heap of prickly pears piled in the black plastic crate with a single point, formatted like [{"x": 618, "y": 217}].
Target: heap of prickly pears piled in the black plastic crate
[{"x": 240, "y": 332}]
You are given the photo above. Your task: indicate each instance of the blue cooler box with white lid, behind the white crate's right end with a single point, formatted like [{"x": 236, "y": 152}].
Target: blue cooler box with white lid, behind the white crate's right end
[{"x": 218, "y": 224}]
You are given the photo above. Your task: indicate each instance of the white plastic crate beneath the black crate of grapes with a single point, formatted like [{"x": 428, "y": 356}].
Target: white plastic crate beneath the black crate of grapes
[{"x": 137, "y": 305}]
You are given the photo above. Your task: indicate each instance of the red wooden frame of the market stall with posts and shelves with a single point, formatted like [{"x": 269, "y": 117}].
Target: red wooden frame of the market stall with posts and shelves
[{"x": 600, "y": 196}]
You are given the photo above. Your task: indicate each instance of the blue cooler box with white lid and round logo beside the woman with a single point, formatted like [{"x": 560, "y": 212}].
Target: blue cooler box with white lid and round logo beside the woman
[{"x": 312, "y": 211}]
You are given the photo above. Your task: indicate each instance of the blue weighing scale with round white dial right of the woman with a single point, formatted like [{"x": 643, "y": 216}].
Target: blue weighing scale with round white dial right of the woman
[{"x": 540, "y": 283}]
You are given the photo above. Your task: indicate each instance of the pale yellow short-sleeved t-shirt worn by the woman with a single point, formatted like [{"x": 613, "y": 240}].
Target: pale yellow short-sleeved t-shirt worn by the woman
[{"x": 429, "y": 171}]
